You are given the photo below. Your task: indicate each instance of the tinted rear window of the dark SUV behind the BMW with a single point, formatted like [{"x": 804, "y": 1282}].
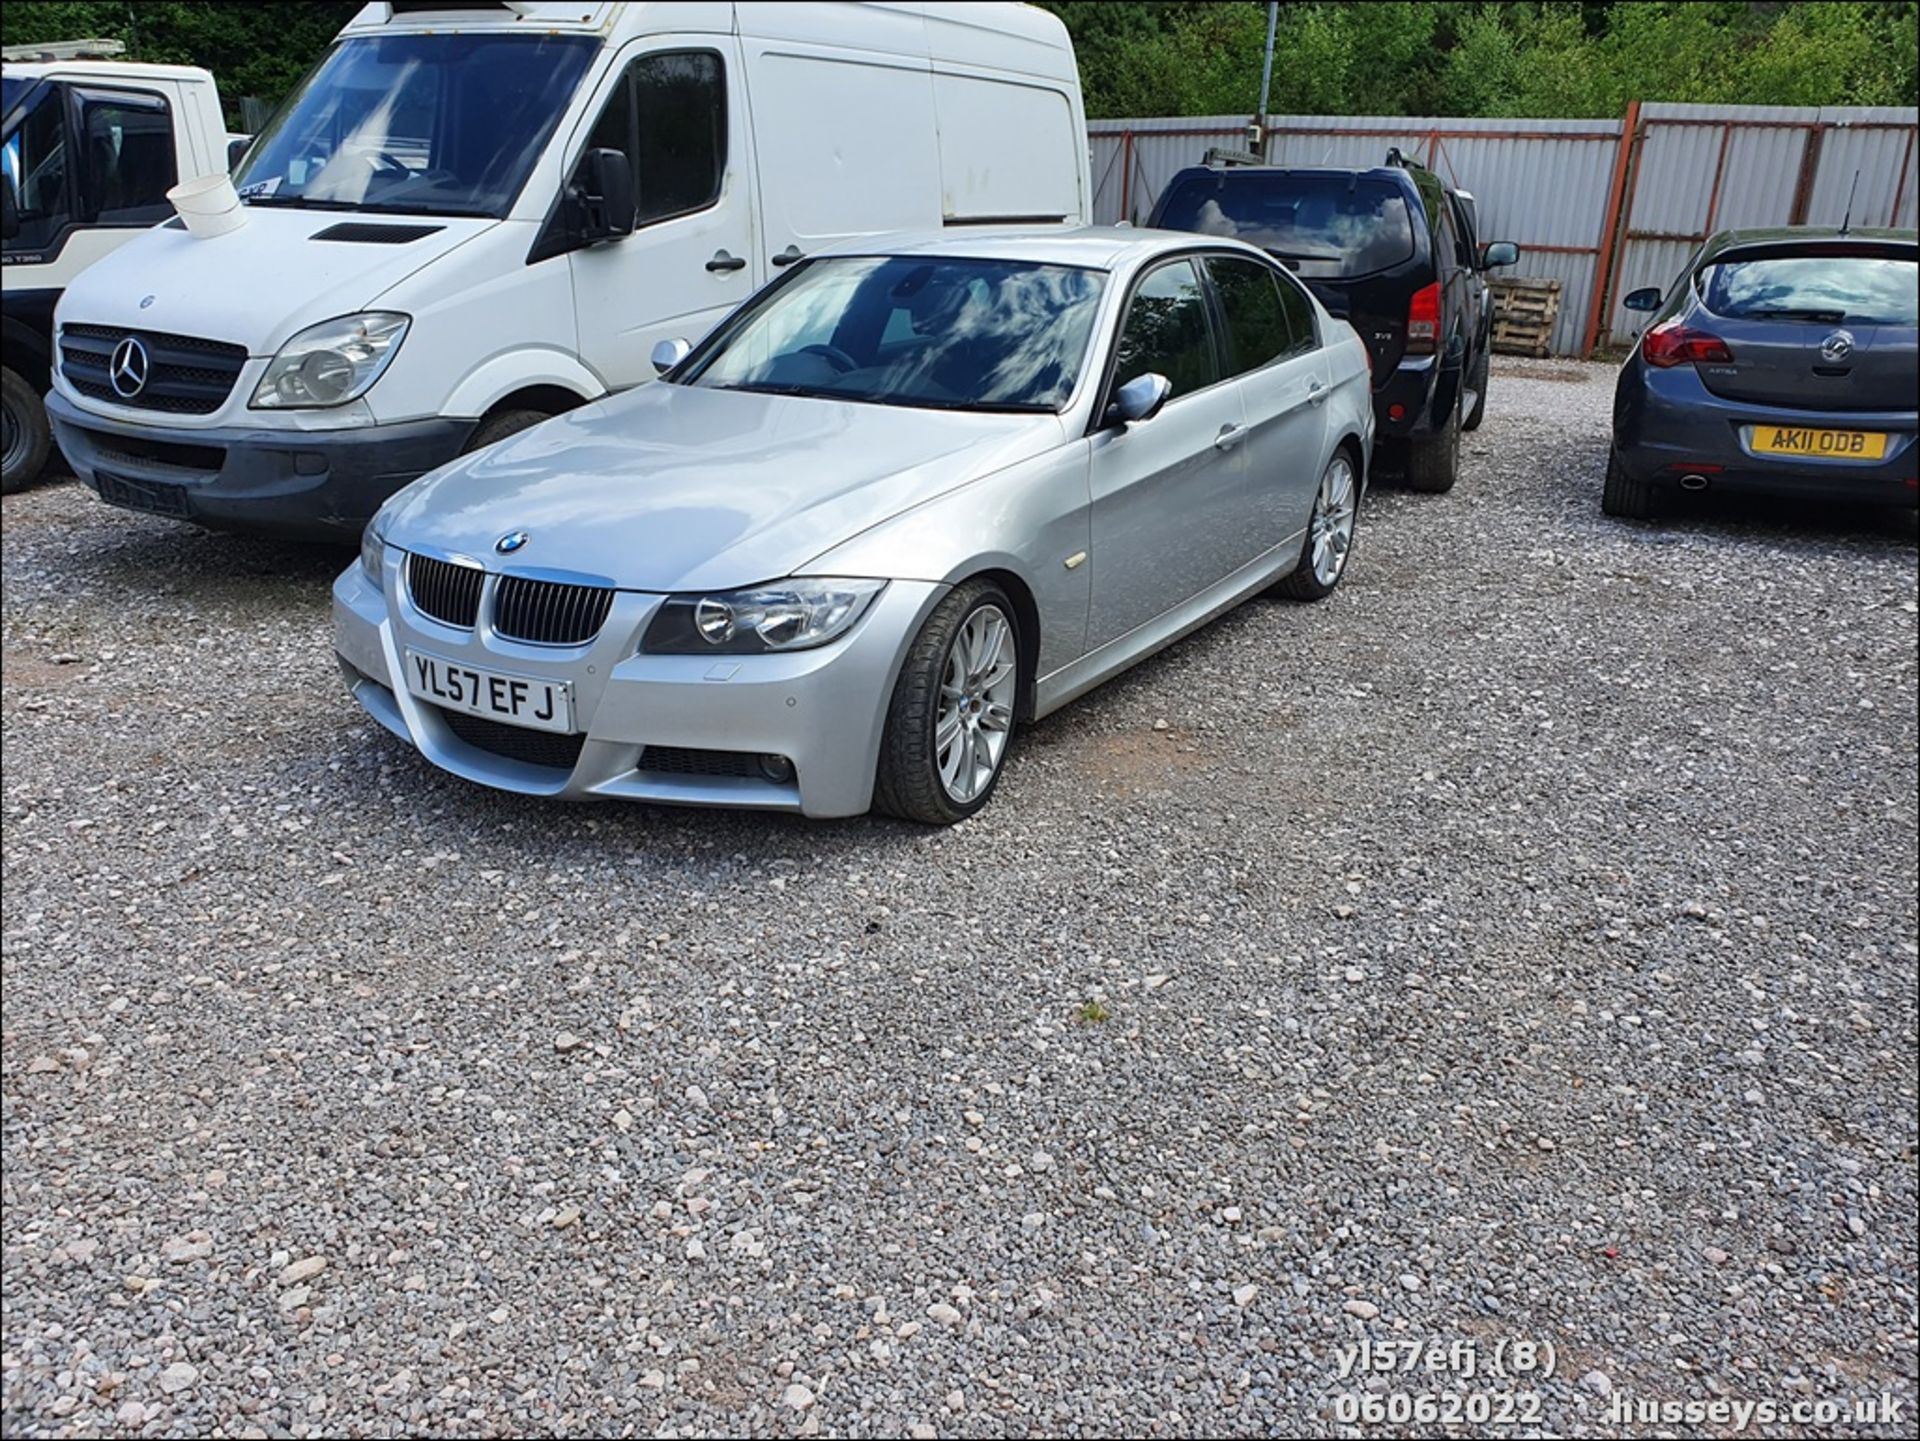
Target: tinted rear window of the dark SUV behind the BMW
[{"x": 1330, "y": 227}]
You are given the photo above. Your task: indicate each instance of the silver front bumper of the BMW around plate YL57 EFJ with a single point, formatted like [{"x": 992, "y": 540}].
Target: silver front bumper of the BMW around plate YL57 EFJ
[{"x": 821, "y": 711}]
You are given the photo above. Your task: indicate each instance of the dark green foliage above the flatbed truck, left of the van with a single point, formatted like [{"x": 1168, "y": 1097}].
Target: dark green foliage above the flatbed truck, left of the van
[{"x": 252, "y": 49}]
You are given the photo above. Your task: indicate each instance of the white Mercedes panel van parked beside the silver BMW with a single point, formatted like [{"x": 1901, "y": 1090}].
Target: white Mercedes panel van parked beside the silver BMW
[{"x": 471, "y": 218}]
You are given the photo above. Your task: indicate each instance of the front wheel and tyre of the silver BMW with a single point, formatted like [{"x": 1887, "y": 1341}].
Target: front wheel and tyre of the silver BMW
[{"x": 951, "y": 720}]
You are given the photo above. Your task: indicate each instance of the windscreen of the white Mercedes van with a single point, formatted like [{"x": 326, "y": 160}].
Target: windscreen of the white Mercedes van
[{"x": 418, "y": 124}]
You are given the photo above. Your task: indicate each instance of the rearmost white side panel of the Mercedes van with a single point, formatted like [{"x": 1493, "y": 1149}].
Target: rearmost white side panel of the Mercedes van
[{"x": 1007, "y": 151}]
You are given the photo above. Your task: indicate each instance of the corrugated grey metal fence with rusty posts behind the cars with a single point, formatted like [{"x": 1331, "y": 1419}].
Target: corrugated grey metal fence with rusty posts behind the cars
[{"x": 1600, "y": 206}]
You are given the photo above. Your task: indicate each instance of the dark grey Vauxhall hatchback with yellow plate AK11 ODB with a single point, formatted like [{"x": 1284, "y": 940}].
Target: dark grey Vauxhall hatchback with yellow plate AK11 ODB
[{"x": 1781, "y": 362}]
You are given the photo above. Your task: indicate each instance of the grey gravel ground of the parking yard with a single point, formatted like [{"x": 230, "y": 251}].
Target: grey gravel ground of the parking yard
[{"x": 1516, "y": 947}]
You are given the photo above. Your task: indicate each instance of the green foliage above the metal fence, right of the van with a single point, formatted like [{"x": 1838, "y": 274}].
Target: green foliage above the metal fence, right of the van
[{"x": 1487, "y": 59}]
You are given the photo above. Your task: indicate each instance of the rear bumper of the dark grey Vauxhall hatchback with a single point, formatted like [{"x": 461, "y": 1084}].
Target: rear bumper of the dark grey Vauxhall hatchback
[{"x": 1671, "y": 433}]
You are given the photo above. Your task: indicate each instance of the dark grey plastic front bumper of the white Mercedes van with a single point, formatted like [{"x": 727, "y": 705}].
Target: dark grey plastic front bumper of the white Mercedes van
[{"x": 299, "y": 484}]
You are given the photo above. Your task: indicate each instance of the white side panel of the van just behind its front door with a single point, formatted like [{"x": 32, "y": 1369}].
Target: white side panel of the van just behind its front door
[{"x": 846, "y": 147}]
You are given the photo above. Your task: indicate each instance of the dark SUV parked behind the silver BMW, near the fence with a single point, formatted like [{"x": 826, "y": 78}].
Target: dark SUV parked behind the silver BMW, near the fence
[{"x": 1391, "y": 250}]
